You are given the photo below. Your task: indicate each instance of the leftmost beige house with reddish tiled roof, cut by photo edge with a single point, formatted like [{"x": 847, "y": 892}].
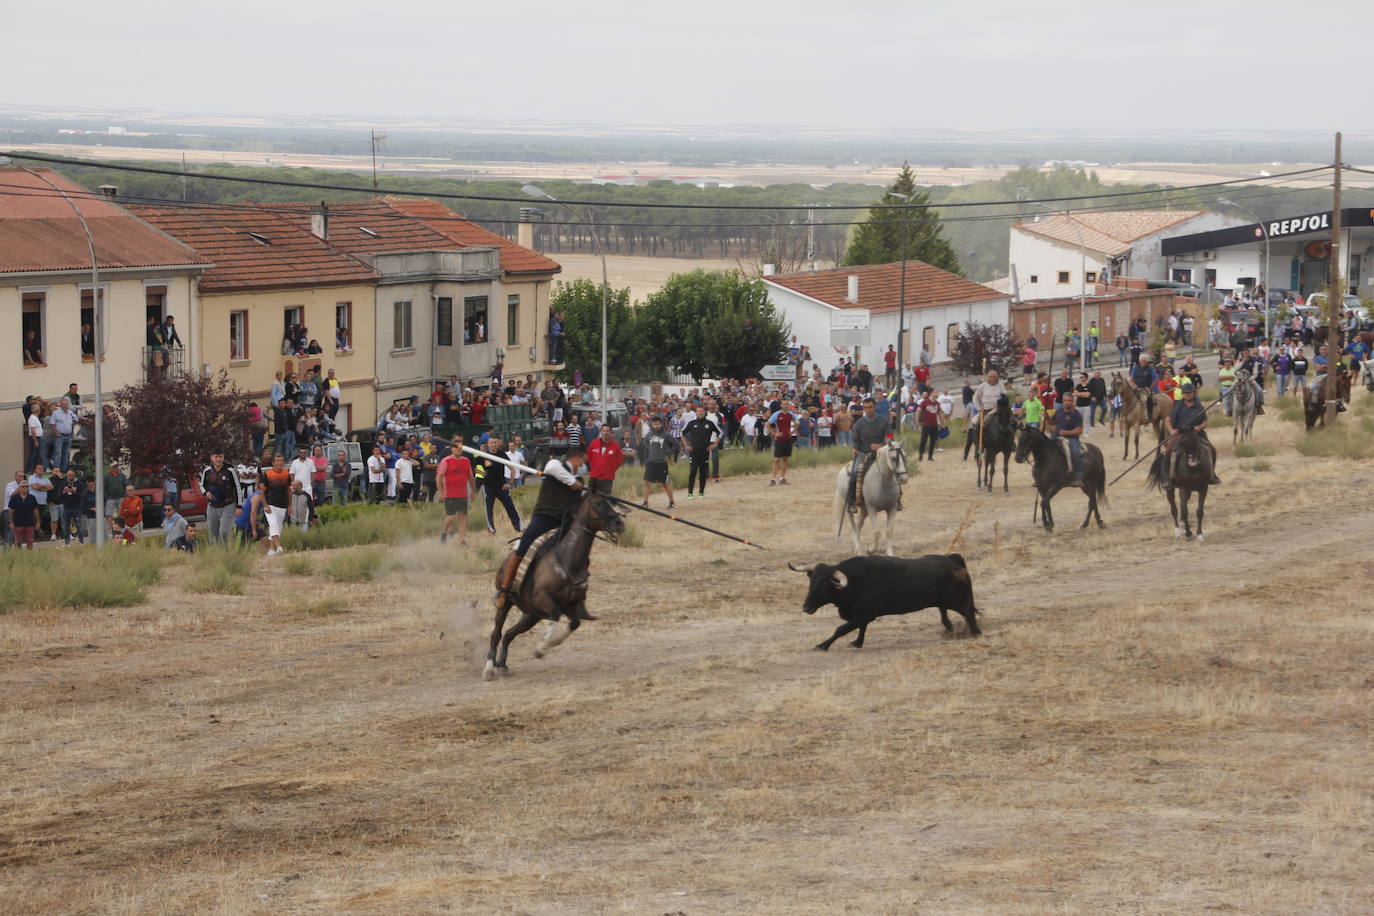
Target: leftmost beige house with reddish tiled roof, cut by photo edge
[{"x": 47, "y": 300}]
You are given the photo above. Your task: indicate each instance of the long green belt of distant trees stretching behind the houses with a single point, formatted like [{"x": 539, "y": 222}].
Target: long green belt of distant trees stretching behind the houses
[{"x": 979, "y": 234}]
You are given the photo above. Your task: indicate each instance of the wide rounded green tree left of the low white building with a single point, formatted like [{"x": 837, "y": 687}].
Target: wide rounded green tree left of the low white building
[{"x": 712, "y": 323}]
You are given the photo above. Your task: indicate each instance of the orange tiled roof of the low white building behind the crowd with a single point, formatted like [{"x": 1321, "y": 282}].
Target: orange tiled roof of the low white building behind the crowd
[{"x": 880, "y": 286}]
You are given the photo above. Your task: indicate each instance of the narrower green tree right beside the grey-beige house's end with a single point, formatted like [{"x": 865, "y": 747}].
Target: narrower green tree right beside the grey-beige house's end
[{"x": 581, "y": 303}]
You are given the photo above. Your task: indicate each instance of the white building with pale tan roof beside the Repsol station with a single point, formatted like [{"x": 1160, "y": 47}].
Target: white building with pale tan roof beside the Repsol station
[{"x": 1067, "y": 253}]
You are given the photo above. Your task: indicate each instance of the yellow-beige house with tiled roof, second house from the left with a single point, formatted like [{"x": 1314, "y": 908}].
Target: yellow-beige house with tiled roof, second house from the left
[{"x": 271, "y": 275}]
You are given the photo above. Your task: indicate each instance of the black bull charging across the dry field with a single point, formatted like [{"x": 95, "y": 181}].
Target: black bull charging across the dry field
[{"x": 865, "y": 588}]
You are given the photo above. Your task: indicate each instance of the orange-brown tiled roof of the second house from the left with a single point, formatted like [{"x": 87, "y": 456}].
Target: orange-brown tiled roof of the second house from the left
[{"x": 286, "y": 256}]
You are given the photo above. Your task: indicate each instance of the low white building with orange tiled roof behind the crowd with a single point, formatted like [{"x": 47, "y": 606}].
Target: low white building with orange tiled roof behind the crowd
[{"x": 938, "y": 304}]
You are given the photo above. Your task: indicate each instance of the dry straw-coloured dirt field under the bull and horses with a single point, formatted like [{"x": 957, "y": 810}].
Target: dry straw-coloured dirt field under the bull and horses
[{"x": 1147, "y": 726}]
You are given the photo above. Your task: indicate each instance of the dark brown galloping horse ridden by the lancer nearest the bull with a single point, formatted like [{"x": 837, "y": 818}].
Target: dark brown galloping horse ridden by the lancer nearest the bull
[{"x": 556, "y": 584}]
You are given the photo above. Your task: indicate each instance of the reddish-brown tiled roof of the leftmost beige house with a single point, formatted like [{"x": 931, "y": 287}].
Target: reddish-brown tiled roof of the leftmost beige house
[{"x": 41, "y": 231}]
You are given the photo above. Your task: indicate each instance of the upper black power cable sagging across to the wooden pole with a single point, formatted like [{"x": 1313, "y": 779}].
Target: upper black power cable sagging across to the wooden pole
[{"x": 315, "y": 186}]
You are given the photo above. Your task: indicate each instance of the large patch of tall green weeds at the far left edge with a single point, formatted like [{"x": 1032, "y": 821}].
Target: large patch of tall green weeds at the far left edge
[{"x": 85, "y": 577}]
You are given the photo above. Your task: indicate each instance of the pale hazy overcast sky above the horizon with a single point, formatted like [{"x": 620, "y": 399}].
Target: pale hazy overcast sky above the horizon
[{"x": 851, "y": 64}]
